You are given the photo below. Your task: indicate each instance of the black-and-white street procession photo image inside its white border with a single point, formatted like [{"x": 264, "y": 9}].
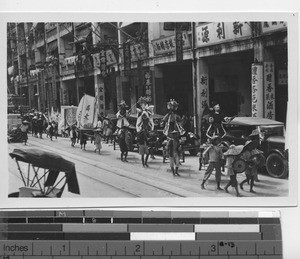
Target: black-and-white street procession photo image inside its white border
[{"x": 93, "y": 117}]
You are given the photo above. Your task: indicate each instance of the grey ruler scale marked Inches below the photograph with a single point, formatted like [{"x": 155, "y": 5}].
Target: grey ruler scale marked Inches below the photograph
[{"x": 140, "y": 234}]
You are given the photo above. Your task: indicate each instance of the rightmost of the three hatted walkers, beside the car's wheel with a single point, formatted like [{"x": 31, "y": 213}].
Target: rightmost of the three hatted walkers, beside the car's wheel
[{"x": 248, "y": 154}]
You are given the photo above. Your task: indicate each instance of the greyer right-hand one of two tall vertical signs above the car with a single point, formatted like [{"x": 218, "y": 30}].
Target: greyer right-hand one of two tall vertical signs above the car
[{"x": 269, "y": 86}]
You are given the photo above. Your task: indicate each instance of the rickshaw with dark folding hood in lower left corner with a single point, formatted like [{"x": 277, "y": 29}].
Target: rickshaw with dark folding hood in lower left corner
[{"x": 46, "y": 175}]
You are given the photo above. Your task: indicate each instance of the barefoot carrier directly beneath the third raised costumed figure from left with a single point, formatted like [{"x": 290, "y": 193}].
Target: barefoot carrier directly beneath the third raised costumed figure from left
[{"x": 173, "y": 149}]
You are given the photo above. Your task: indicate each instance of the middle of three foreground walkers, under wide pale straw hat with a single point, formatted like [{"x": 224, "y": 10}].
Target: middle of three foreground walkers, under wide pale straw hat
[{"x": 231, "y": 155}]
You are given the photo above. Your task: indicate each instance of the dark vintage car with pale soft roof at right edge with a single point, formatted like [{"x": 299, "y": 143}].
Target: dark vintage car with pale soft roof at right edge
[{"x": 271, "y": 138}]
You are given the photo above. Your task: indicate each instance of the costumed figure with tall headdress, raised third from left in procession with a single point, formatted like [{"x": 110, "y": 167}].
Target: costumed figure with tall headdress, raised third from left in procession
[{"x": 172, "y": 121}]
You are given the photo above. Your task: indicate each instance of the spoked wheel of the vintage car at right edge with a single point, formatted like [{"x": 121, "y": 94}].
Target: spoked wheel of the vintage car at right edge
[{"x": 277, "y": 166}]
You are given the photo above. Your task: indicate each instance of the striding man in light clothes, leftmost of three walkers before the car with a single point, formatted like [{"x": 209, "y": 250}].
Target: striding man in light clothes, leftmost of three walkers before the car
[{"x": 215, "y": 154}]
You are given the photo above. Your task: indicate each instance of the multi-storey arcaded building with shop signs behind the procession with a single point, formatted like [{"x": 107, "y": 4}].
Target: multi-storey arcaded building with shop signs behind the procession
[{"x": 240, "y": 65}]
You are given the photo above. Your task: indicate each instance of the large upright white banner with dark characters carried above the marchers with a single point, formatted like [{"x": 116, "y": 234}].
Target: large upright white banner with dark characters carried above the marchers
[{"x": 86, "y": 114}]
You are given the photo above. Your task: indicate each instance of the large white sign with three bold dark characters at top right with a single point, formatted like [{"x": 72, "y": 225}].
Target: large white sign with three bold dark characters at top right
[{"x": 213, "y": 33}]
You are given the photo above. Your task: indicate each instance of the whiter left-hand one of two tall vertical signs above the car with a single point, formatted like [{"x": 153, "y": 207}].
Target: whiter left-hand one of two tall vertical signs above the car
[{"x": 257, "y": 90}]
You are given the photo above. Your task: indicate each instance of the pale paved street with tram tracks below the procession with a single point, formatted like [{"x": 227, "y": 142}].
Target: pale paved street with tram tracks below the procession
[{"x": 105, "y": 175}]
